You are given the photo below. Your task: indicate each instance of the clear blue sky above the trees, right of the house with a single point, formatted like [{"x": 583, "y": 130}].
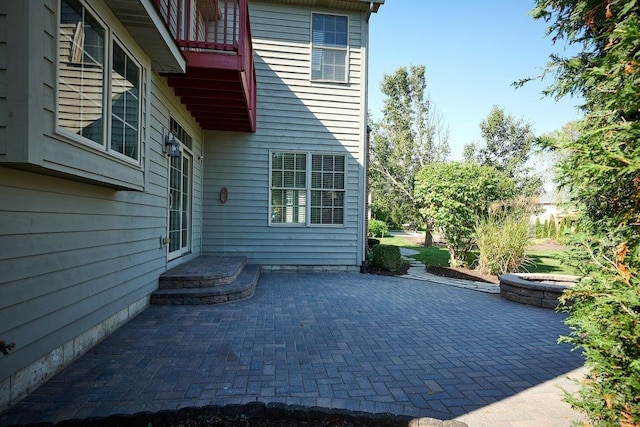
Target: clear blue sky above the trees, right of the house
[{"x": 473, "y": 50}]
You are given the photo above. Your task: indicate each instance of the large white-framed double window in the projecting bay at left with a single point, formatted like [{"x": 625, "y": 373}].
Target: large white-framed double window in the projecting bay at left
[{"x": 98, "y": 83}]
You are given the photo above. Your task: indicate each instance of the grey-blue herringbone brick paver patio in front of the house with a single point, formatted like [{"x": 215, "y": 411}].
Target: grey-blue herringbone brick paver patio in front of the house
[{"x": 344, "y": 340}]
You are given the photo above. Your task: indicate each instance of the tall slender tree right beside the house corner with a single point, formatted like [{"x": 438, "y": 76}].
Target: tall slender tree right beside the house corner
[{"x": 410, "y": 135}]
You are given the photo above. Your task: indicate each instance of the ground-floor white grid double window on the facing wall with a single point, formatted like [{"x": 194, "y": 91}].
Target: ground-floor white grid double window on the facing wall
[{"x": 307, "y": 188}]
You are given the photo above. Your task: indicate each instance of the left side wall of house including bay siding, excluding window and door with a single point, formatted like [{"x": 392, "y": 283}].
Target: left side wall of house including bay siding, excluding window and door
[{"x": 79, "y": 256}]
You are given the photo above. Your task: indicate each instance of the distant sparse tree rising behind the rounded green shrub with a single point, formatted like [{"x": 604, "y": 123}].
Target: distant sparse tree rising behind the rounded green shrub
[{"x": 508, "y": 146}]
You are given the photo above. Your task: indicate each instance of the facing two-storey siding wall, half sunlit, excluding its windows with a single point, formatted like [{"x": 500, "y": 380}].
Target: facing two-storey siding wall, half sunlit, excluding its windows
[{"x": 294, "y": 114}]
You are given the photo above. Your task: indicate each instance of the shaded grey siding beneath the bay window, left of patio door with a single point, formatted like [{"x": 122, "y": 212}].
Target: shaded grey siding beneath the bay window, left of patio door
[{"x": 68, "y": 251}]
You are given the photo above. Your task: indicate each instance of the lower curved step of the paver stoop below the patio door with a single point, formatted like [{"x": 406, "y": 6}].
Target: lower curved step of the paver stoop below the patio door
[{"x": 243, "y": 287}]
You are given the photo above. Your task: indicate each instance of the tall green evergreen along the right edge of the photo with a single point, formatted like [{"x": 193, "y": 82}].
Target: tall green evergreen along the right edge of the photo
[{"x": 601, "y": 167}]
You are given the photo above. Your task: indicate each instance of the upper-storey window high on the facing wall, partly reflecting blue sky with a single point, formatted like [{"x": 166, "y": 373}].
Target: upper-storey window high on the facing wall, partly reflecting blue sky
[{"x": 329, "y": 47}]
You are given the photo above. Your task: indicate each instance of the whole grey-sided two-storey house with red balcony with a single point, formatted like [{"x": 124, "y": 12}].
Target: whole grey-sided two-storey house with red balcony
[{"x": 138, "y": 135}]
